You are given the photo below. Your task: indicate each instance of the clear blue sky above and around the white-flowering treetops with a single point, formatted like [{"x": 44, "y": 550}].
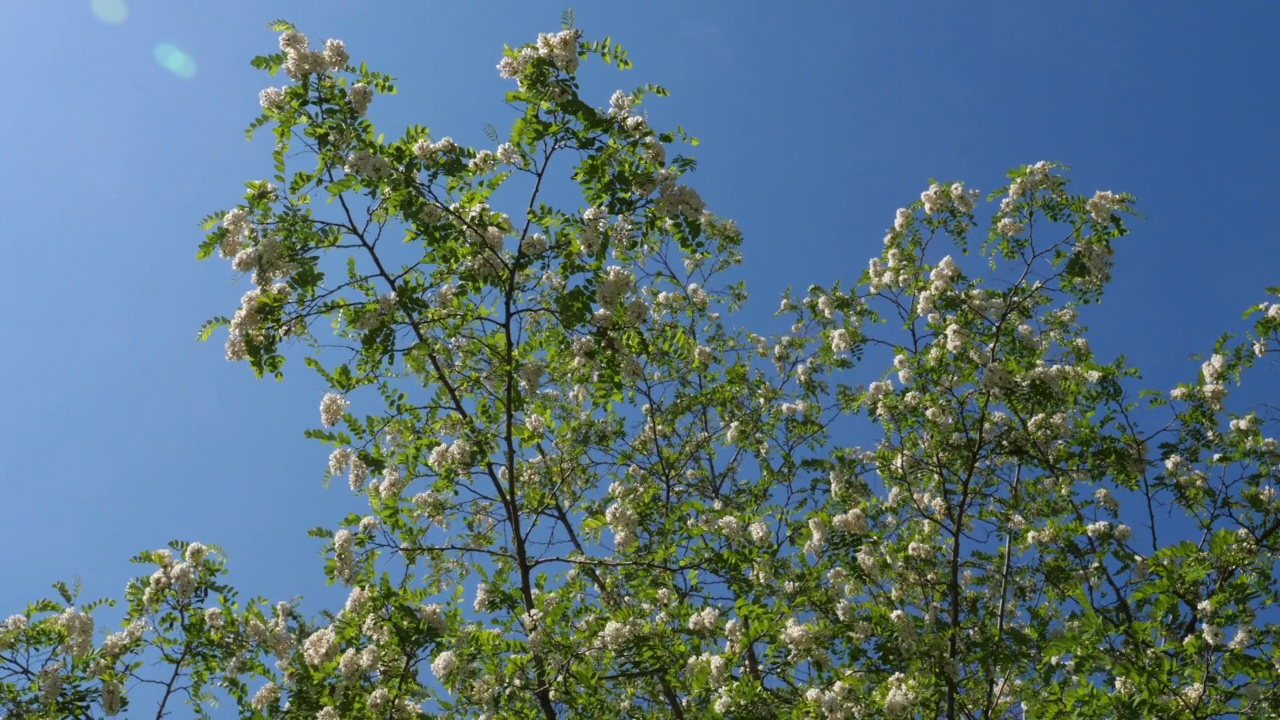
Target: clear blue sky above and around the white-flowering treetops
[{"x": 124, "y": 127}]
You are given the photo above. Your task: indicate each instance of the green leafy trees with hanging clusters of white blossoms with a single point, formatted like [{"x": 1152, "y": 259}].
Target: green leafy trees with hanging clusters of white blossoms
[{"x": 589, "y": 496}]
